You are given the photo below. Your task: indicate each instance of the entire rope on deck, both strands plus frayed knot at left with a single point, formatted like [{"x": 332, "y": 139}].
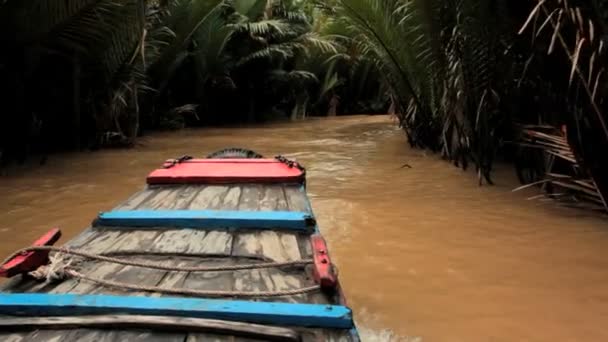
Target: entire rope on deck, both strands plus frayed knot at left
[{"x": 58, "y": 269}]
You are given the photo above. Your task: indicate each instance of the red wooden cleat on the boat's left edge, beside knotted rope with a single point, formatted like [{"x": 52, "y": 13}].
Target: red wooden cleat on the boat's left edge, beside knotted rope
[{"x": 30, "y": 261}]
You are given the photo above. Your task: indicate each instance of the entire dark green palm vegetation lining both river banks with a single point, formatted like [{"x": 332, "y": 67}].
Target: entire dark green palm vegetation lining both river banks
[{"x": 472, "y": 80}]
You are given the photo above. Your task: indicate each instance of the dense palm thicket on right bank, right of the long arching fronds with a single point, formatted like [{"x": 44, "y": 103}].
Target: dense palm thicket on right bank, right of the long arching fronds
[{"x": 476, "y": 79}]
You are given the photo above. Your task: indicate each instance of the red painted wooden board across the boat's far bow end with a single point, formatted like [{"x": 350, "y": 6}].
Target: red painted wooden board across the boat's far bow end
[{"x": 205, "y": 171}]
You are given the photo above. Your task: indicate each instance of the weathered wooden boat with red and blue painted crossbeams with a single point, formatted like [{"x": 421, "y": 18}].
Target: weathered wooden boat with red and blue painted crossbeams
[{"x": 221, "y": 248}]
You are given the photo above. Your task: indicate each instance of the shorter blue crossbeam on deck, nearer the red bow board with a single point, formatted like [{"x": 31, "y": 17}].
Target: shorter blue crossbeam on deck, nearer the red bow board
[{"x": 207, "y": 219}]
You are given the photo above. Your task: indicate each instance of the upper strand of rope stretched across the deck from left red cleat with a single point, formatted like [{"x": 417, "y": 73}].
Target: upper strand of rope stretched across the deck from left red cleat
[{"x": 156, "y": 265}]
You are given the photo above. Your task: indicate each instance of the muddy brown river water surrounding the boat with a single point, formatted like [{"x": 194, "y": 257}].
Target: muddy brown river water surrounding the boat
[{"x": 424, "y": 254}]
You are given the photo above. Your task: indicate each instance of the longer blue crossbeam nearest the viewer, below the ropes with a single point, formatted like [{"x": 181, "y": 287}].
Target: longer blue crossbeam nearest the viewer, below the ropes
[{"x": 303, "y": 315}]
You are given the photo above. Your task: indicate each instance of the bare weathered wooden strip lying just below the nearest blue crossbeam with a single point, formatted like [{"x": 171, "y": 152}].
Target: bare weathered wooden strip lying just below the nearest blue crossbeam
[{"x": 153, "y": 323}]
